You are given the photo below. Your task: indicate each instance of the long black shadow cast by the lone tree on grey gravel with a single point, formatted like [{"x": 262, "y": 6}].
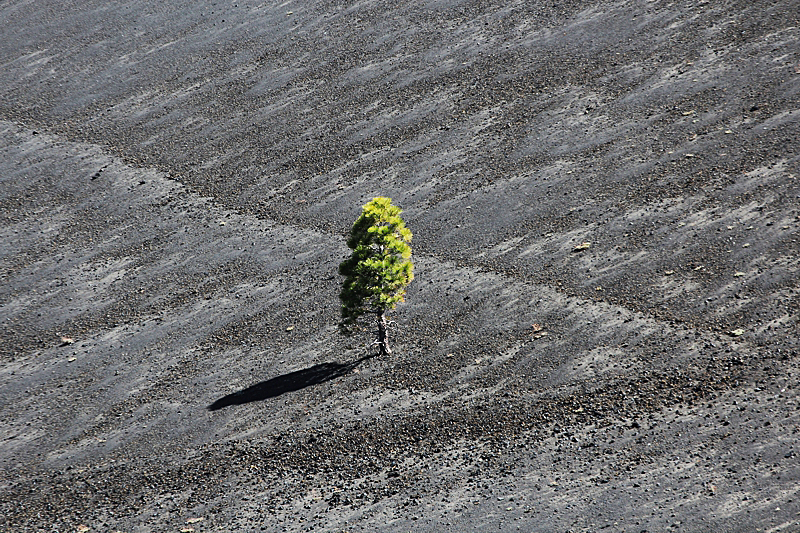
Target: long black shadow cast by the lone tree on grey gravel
[{"x": 290, "y": 382}]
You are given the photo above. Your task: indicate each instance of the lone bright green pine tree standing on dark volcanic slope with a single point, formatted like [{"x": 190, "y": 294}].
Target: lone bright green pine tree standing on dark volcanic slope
[{"x": 378, "y": 271}]
